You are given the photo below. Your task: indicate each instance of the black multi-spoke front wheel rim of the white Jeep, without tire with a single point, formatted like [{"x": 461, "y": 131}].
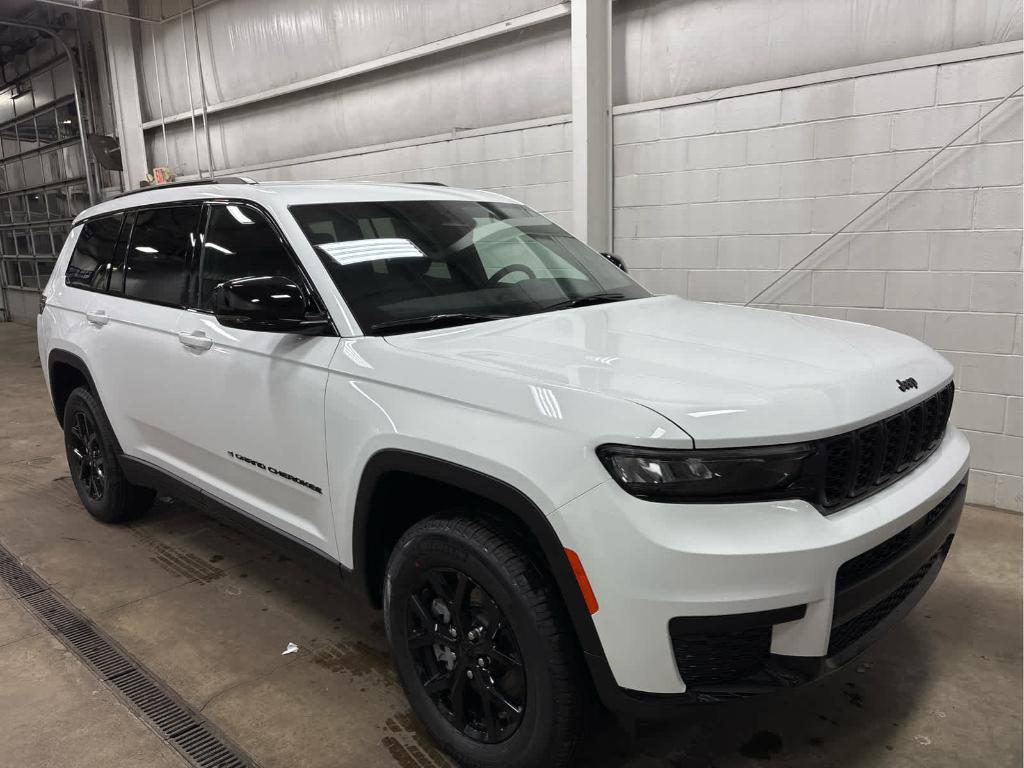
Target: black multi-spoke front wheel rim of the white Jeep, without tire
[{"x": 466, "y": 656}]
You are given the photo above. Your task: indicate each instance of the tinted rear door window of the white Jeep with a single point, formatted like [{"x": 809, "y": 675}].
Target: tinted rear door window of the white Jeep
[{"x": 157, "y": 263}]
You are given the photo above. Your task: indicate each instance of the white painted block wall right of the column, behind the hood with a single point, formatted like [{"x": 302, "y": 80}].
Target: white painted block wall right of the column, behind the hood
[{"x": 715, "y": 199}]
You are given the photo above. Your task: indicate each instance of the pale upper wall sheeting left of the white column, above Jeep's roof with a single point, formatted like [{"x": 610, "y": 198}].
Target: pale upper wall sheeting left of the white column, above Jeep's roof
[{"x": 250, "y": 48}]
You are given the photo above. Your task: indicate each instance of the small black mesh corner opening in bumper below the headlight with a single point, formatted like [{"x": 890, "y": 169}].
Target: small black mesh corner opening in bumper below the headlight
[{"x": 720, "y": 659}]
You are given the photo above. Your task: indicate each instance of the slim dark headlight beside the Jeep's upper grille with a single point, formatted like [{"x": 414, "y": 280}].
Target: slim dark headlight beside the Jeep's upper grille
[{"x": 715, "y": 476}]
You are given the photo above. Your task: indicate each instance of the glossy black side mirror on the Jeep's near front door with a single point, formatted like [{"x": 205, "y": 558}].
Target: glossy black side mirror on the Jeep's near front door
[{"x": 272, "y": 304}]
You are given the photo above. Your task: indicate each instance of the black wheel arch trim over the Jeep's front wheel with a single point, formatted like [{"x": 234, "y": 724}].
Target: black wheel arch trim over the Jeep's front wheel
[{"x": 370, "y": 560}]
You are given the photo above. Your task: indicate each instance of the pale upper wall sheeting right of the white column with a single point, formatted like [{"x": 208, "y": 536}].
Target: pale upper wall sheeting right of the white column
[{"x": 671, "y": 48}]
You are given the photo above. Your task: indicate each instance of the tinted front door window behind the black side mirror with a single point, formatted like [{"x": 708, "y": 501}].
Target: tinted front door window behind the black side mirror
[{"x": 240, "y": 243}]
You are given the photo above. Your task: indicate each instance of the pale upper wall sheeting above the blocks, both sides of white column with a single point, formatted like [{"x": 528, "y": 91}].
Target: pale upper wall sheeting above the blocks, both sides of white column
[{"x": 661, "y": 49}]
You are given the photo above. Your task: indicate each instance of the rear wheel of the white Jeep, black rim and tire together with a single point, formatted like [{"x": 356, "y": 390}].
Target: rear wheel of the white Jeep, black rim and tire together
[{"x": 93, "y": 459}]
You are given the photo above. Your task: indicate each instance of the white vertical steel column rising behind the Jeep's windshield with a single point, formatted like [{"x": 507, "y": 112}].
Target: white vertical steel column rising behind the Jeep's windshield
[{"x": 591, "y": 58}]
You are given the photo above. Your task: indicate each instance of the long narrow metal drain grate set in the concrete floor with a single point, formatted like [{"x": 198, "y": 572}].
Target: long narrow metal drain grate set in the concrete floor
[{"x": 164, "y": 712}]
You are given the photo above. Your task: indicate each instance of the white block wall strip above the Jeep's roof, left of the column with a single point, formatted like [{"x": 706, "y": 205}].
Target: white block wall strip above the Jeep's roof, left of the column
[{"x": 531, "y": 163}]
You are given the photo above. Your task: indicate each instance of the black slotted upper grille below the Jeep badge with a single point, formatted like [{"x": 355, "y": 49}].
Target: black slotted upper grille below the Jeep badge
[{"x": 861, "y": 462}]
